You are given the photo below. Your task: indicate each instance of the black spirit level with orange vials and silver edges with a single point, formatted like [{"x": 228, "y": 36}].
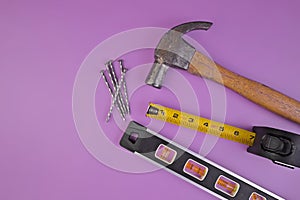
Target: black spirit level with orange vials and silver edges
[{"x": 191, "y": 167}]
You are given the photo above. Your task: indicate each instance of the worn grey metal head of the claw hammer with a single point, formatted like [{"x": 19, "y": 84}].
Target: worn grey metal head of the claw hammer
[{"x": 173, "y": 51}]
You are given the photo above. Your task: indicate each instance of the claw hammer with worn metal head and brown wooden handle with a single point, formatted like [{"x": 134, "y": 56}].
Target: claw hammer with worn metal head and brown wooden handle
[{"x": 173, "y": 51}]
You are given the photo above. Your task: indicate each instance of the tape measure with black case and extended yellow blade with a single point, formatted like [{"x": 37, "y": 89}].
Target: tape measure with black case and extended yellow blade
[{"x": 282, "y": 147}]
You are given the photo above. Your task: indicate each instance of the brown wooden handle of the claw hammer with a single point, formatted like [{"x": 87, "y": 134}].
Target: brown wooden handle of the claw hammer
[{"x": 258, "y": 93}]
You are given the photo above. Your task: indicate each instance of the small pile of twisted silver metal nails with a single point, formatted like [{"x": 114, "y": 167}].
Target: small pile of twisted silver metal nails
[{"x": 117, "y": 89}]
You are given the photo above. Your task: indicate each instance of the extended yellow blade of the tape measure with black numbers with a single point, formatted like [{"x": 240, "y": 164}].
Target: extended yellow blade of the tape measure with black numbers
[{"x": 200, "y": 124}]
